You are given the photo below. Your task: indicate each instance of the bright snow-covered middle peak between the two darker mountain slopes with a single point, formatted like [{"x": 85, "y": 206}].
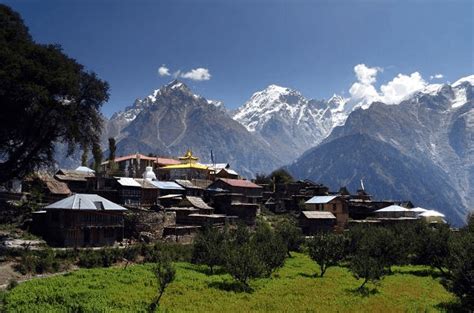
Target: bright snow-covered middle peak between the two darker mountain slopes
[{"x": 285, "y": 119}]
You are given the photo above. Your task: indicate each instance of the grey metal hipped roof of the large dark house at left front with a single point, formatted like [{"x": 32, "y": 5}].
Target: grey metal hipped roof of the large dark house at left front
[{"x": 82, "y": 201}]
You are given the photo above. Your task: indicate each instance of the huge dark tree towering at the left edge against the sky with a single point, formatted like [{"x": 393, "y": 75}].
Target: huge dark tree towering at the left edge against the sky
[{"x": 46, "y": 98}]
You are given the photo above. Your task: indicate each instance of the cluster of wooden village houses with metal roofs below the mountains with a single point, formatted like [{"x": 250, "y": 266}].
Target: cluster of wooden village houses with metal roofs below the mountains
[{"x": 145, "y": 198}]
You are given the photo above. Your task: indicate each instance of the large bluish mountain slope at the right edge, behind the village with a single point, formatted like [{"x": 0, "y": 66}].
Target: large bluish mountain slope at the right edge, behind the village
[{"x": 421, "y": 149}]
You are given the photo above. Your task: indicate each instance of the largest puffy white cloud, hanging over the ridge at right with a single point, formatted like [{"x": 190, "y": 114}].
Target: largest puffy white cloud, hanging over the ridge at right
[{"x": 363, "y": 92}]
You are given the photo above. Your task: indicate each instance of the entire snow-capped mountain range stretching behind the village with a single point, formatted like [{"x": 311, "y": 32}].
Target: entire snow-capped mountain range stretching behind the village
[{"x": 420, "y": 149}]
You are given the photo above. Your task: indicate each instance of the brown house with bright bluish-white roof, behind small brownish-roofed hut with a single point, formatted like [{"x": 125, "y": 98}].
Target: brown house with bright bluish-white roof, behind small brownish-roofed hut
[{"x": 334, "y": 204}]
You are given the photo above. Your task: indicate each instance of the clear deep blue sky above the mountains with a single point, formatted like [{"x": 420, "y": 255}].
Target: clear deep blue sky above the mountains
[{"x": 312, "y": 46}]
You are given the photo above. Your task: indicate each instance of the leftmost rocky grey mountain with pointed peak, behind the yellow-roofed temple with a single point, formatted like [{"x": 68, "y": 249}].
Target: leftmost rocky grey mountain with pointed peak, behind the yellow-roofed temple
[{"x": 173, "y": 119}]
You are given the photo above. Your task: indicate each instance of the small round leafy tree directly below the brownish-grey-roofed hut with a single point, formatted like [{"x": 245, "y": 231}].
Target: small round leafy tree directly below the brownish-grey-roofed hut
[{"x": 327, "y": 250}]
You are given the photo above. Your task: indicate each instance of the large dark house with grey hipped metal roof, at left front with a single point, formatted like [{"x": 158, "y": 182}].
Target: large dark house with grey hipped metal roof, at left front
[{"x": 81, "y": 220}]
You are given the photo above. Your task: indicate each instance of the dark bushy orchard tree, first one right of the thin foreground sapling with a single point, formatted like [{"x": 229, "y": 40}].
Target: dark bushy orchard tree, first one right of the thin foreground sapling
[{"x": 209, "y": 247}]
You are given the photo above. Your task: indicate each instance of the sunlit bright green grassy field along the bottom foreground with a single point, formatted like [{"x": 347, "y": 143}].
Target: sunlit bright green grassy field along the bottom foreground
[{"x": 292, "y": 289}]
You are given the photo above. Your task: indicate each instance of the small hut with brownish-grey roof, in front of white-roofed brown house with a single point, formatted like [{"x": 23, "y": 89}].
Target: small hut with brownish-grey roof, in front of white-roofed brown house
[{"x": 313, "y": 222}]
